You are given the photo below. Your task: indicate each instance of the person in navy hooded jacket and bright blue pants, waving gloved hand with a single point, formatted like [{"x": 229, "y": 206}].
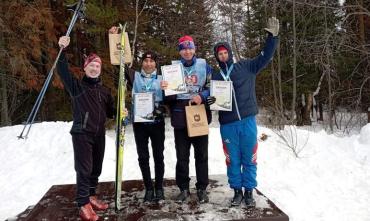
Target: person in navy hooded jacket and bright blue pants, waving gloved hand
[{"x": 238, "y": 127}]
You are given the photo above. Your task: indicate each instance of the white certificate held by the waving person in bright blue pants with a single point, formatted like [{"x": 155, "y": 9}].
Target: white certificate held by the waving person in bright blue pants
[{"x": 222, "y": 91}]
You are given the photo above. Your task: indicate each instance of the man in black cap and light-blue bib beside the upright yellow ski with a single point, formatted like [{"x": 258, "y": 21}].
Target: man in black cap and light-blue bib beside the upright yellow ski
[{"x": 148, "y": 81}]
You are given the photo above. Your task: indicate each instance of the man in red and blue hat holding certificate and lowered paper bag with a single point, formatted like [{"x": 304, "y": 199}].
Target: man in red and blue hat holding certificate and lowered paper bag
[{"x": 197, "y": 75}]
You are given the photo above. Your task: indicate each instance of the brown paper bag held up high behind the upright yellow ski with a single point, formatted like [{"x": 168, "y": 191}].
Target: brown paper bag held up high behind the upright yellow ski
[{"x": 114, "y": 49}]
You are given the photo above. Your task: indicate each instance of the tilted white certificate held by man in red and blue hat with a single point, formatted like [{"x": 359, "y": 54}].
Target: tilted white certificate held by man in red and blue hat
[{"x": 174, "y": 75}]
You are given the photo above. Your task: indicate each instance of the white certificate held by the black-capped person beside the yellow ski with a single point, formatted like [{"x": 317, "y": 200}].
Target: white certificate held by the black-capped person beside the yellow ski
[{"x": 143, "y": 107}]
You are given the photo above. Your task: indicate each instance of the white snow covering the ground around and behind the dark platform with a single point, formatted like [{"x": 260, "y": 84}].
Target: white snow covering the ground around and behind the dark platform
[{"x": 329, "y": 181}]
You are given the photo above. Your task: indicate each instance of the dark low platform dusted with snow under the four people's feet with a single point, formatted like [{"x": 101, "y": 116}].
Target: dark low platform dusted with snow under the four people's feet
[{"x": 58, "y": 204}]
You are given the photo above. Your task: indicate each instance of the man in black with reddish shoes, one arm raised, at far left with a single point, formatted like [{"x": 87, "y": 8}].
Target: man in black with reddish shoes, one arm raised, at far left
[{"x": 92, "y": 103}]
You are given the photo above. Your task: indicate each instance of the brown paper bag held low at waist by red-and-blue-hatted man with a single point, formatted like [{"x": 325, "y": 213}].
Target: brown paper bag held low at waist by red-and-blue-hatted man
[{"x": 196, "y": 120}]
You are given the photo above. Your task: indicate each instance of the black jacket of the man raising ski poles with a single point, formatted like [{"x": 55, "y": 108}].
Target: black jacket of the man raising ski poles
[{"x": 92, "y": 103}]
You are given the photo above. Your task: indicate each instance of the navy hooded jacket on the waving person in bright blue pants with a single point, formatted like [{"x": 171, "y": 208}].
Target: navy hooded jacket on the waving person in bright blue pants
[{"x": 243, "y": 77}]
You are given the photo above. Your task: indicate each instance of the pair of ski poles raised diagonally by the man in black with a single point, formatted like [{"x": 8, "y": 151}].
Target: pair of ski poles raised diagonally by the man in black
[{"x": 78, "y": 13}]
